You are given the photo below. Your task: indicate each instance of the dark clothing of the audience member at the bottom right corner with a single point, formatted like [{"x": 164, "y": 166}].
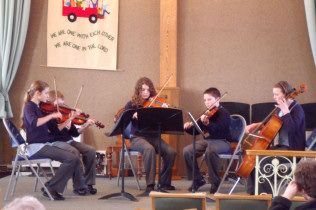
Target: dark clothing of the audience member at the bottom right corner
[{"x": 281, "y": 203}]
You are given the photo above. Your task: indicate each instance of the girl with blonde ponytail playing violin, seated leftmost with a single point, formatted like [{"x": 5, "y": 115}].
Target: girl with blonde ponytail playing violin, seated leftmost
[{"x": 39, "y": 138}]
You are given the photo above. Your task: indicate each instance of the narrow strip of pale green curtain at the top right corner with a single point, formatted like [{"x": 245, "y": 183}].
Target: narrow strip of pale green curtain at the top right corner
[{"x": 310, "y": 8}]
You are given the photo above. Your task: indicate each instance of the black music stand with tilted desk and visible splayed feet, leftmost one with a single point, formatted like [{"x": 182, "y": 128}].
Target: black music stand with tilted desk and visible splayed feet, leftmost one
[{"x": 118, "y": 129}]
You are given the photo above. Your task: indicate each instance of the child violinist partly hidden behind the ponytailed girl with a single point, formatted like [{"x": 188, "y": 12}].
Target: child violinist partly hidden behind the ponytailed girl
[{"x": 64, "y": 133}]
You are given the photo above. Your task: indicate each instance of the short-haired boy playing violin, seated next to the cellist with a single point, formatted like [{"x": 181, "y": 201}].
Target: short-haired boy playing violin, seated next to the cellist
[{"x": 217, "y": 126}]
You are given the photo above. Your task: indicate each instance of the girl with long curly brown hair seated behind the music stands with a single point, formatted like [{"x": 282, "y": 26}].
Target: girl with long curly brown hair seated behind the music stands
[{"x": 147, "y": 144}]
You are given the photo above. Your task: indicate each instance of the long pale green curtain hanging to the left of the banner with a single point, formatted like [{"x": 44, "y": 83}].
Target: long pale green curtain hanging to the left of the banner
[{"x": 14, "y": 18}]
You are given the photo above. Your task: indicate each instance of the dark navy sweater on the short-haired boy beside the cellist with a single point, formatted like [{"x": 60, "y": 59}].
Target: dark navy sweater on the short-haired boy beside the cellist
[{"x": 218, "y": 128}]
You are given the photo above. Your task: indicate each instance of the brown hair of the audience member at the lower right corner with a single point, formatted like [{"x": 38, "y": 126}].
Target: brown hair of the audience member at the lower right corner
[{"x": 305, "y": 177}]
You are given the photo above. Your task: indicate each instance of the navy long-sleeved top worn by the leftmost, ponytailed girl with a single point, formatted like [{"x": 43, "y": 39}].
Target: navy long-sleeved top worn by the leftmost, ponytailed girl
[{"x": 34, "y": 133}]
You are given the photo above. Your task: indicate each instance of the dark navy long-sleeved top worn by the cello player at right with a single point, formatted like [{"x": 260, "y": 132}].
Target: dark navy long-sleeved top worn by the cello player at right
[{"x": 294, "y": 124}]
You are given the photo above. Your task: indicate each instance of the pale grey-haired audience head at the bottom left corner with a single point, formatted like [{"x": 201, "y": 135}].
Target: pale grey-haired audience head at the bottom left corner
[{"x": 25, "y": 203}]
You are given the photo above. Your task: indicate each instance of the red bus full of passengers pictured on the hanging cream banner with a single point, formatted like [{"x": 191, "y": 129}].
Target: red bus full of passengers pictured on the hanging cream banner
[{"x": 78, "y": 8}]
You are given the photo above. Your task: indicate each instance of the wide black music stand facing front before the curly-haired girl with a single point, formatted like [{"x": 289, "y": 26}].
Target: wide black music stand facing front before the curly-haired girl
[{"x": 157, "y": 121}]
